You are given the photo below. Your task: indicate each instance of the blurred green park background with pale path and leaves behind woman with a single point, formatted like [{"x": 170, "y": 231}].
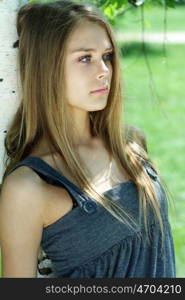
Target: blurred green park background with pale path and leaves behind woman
[{"x": 151, "y": 38}]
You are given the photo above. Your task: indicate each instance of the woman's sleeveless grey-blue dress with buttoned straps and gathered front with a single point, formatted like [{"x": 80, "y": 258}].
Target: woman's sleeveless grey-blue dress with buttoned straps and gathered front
[{"x": 88, "y": 242}]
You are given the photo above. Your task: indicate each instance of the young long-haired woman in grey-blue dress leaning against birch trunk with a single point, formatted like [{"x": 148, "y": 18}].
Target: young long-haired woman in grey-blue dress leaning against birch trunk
[{"x": 79, "y": 184}]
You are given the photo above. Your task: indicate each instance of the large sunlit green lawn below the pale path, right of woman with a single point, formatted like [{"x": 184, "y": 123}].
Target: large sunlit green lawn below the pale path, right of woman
[{"x": 162, "y": 119}]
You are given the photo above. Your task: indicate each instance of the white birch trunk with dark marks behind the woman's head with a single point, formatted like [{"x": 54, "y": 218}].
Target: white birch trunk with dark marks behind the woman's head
[{"x": 9, "y": 86}]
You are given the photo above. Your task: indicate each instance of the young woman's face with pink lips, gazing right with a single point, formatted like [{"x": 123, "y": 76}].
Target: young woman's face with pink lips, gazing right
[{"x": 88, "y": 67}]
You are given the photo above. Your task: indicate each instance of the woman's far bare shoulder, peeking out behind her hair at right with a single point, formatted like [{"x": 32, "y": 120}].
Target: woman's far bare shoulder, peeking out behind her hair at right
[{"x": 136, "y": 135}]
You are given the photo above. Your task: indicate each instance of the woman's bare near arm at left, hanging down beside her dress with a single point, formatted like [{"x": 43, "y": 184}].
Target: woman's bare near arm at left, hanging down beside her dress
[{"x": 21, "y": 224}]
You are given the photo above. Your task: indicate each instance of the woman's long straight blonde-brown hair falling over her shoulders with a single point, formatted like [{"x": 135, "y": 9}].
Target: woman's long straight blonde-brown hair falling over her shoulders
[{"x": 43, "y": 30}]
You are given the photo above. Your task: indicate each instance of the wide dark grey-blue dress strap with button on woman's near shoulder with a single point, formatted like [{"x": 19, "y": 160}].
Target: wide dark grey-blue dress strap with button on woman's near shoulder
[{"x": 45, "y": 170}]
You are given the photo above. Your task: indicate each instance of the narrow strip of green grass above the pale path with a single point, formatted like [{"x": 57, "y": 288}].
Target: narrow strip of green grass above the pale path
[{"x": 154, "y": 19}]
